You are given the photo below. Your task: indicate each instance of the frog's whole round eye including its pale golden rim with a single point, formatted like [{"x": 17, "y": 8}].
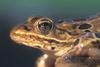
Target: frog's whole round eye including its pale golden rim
[{"x": 45, "y": 25}]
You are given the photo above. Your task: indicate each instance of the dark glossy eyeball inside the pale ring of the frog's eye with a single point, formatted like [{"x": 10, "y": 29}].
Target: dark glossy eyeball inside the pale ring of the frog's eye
[{"x": 45, "y": 27}]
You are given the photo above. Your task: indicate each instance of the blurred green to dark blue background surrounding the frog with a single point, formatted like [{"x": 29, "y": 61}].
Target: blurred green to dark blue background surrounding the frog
[{"x": 14, "y": 12}]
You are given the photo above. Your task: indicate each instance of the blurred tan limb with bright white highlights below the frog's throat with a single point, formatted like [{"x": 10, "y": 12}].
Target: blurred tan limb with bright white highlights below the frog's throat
[{"x": 46, "y": 60}]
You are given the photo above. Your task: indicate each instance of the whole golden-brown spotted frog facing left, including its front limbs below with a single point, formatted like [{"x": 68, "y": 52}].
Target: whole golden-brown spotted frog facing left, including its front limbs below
[{"x": 65, "y": 44}]
